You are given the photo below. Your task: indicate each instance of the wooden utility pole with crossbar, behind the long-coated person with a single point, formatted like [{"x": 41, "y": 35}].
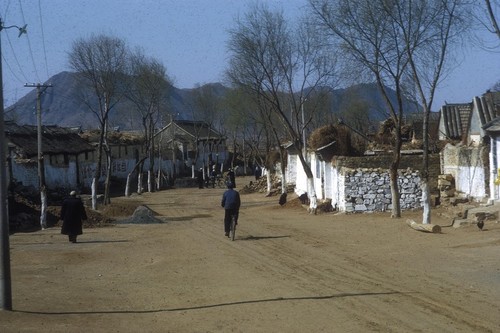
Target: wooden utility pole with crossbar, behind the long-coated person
[{"x": 41, "y": 164}]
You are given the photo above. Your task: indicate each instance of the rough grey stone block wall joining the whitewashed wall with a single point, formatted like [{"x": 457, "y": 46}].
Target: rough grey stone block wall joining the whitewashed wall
[{"x": 369, "y": 190}]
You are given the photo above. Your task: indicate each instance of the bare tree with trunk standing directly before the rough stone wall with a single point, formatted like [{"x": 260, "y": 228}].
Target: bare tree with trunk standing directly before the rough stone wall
[{"x": 360, "y": 28}]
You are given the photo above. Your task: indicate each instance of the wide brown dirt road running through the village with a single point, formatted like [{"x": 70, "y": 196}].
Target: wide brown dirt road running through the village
[{"x": 287, "y": 271}]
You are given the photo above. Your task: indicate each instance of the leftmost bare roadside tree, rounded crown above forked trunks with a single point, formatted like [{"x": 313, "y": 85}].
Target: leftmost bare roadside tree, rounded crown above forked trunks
[{"x": 101, "y": 63}]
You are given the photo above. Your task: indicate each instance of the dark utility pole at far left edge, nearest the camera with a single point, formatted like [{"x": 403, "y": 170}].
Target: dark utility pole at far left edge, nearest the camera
[{"x": 5, "y": 282}]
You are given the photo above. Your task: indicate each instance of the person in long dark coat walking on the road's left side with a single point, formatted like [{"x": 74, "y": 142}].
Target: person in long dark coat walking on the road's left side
[{"x": 72, "y": 214}]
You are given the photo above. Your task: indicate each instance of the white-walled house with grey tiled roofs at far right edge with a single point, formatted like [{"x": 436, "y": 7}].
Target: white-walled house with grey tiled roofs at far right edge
[{"x": 470, "y": 158}]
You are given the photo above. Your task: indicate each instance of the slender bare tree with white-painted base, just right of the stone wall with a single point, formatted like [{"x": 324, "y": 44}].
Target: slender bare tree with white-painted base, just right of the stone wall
[{"x": 429, "y": 30}]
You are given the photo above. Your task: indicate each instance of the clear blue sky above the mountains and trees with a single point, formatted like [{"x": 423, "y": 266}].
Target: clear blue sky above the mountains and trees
[{"x": 188, "y": 36}]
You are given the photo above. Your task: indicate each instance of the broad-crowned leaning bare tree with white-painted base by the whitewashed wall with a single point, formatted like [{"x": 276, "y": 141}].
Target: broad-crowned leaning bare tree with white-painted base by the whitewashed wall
[{"x": 282, "y": 66}]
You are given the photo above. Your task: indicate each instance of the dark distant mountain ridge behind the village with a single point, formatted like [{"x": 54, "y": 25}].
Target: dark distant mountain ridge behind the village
[{"x": 63, "y": 105}]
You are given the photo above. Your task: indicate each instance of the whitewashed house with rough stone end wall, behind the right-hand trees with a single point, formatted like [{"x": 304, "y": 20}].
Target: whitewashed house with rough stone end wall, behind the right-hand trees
[{"x": 362, "y": 183}]
